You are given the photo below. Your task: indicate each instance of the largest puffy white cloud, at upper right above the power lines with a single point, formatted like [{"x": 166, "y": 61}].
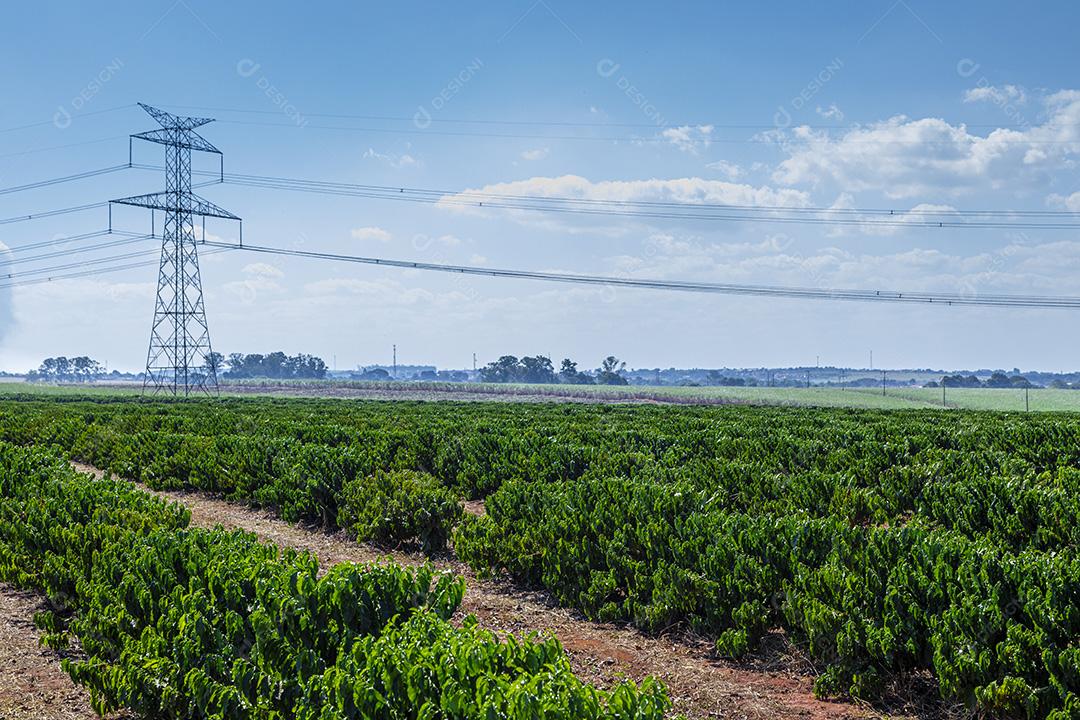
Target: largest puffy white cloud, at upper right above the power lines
[{"x": 903, "y": 158}]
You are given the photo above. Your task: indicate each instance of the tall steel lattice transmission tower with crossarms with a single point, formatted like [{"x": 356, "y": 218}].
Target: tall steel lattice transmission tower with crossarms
[{"x": 180, "y": 360}]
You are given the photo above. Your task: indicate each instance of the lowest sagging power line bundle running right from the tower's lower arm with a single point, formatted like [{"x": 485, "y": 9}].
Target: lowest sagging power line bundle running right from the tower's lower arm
[{"x": 719, "y": 289}]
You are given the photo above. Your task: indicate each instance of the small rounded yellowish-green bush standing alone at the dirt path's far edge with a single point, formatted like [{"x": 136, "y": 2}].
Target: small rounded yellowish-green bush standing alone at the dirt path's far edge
[{"x": 400, "y": 507}]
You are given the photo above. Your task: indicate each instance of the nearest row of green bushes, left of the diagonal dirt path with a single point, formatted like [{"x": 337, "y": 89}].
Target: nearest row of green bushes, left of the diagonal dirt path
[{"x": 188, "y": 623}]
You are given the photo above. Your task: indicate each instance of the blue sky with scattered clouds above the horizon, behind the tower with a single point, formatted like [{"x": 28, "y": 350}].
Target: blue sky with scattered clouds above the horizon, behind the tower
[{"x": 898, "y": 105}]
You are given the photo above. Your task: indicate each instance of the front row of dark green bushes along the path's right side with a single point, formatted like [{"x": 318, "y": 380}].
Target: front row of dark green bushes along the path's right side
[{"x": 997, "y": 627}]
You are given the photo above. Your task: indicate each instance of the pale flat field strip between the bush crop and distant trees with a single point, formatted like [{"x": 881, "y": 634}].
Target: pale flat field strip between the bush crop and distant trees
[{"x": 1041, "y": 400}]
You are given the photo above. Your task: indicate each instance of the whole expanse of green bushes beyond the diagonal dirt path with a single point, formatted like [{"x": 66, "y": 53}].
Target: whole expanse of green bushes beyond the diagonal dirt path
[{"x": 883, "y": 544}]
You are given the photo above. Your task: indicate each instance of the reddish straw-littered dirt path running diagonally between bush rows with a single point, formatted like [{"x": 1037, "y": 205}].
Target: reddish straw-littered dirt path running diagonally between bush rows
[{"x": 602, "y": 655}]
